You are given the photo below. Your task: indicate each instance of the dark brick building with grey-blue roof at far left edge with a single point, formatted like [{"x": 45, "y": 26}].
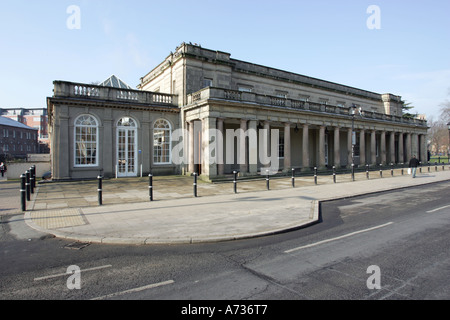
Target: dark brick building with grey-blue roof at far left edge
[{"x": 16, "y": 139}]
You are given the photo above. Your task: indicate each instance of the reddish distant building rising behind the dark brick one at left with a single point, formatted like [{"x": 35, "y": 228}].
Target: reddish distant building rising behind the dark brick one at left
[{"x": 35, "y": 118}]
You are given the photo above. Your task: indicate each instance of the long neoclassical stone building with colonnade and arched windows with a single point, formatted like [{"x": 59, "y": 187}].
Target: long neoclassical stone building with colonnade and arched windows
[{"x": 216, "y": 114}]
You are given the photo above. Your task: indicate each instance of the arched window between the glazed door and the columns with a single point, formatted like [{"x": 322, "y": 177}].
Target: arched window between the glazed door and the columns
[{"x": 162, "y": 142}]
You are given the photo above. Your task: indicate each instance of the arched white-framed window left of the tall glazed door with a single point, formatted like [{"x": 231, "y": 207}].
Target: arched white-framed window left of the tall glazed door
[{"x": 86, "y": 141}]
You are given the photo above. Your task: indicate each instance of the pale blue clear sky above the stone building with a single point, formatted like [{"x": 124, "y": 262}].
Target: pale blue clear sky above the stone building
[{"x": 330, "y": 40}]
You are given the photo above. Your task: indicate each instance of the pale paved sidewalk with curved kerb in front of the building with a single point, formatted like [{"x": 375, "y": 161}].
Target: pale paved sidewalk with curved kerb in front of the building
[{"x": 70, "y": 209}]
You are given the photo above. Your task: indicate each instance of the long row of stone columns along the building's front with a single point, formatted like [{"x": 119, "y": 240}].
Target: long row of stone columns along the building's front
[{"x": 321, "y": 145}]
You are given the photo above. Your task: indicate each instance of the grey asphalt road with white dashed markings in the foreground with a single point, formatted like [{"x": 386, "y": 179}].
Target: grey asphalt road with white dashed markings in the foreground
[{"x": 398, "y": 241}]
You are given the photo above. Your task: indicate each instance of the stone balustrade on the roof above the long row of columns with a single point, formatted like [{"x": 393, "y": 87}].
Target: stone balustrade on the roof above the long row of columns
[{"x": 251, "y": 97}]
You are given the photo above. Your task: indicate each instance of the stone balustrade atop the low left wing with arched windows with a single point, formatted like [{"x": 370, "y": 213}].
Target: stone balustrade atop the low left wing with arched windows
[{"x": 87, "y": 91}]
